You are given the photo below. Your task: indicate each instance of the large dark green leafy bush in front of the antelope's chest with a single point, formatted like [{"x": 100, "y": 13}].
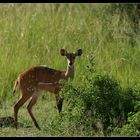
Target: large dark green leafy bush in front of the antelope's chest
[{"x": 97, "y": 106}]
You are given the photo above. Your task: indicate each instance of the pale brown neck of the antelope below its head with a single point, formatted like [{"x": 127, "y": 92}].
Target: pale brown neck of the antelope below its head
[{"x": 70, "y": 72}]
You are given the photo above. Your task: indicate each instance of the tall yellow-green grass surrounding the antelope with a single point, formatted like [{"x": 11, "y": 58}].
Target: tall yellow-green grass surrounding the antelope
[{"x": 32, "y": 34}]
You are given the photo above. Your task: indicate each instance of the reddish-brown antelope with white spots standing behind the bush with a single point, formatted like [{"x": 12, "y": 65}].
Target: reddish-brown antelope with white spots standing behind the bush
[{"x": 38, "y": 78}]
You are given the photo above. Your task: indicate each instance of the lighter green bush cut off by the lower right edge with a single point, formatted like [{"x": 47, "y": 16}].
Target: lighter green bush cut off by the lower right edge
[{"x": 132, "y": 127}]
